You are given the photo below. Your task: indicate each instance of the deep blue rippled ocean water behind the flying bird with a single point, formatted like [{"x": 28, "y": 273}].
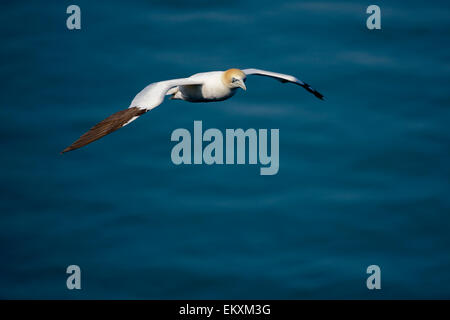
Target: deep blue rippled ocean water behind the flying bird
[{"x": 363, "y": 179}]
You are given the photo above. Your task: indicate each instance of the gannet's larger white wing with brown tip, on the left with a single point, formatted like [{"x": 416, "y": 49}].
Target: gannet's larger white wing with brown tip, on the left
[{"x": 150, "y": 97}]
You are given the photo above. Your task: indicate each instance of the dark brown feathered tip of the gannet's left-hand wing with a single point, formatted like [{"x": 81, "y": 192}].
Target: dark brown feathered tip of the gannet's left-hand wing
[{"x": 110, "y": 124}]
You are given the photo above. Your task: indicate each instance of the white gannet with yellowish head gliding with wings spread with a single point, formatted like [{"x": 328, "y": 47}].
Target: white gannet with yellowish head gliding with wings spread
[{"x": 200, "y": 87}]
